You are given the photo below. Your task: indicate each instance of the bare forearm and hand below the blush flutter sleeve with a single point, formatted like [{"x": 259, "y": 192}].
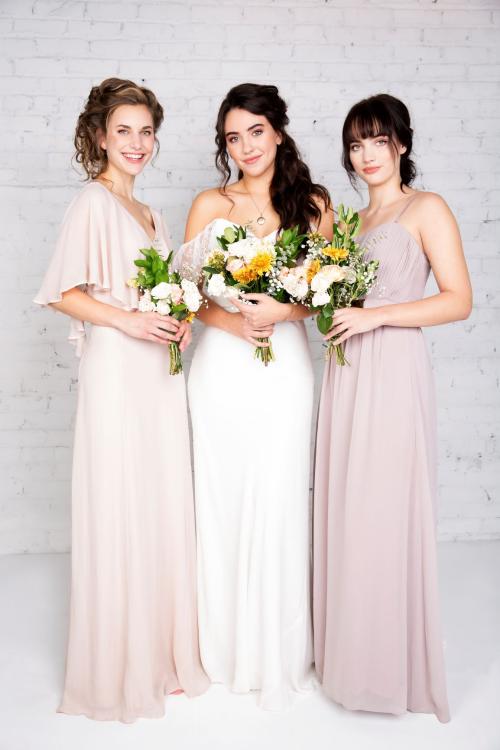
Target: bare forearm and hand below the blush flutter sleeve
[{"x": 151, "y": 326}]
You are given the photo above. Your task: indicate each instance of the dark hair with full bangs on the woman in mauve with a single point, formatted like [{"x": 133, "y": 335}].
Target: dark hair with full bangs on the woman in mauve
[{"x": 381, "y": 114}]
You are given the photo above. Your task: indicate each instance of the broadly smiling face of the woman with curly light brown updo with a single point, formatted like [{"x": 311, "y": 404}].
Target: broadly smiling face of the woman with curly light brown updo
[{"x": 129, "y": 140}]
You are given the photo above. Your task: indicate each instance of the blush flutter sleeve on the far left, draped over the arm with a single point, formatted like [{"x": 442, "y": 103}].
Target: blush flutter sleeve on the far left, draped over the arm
[{"x": 87, "y": 254}]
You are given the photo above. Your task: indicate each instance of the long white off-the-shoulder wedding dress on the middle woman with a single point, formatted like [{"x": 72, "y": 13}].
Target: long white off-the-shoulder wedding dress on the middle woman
[{"x": 251, "y": 439}]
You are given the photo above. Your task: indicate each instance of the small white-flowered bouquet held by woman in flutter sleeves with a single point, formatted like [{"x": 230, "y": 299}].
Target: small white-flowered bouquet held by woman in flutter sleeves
[{"x": 165, "y": 292}]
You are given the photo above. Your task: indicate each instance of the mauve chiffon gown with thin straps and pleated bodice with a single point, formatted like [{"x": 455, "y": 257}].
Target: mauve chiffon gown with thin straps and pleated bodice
[{"x": 376, "y": 611}]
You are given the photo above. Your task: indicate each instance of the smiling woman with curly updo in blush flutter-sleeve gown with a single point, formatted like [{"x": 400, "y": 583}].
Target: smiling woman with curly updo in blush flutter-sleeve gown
[{"x": 133, "y": 627}]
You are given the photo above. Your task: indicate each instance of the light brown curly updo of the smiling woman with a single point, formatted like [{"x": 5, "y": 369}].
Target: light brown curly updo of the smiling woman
[{"x": 93, "y": 120}]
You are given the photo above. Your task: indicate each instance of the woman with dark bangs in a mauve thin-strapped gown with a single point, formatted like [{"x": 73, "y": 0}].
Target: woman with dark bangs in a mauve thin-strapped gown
[{"x": 376, "y": 611}]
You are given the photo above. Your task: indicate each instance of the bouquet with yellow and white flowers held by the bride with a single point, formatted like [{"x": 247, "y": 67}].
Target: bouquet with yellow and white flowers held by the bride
[{"x": 250, "y": 264}]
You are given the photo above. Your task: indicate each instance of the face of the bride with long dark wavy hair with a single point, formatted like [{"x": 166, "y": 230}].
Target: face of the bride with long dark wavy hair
[{"x": 251, "y": 141}]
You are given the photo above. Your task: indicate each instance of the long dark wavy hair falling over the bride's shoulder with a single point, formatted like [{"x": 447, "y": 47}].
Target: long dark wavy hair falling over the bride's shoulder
[{"x": 292, "y": 189}]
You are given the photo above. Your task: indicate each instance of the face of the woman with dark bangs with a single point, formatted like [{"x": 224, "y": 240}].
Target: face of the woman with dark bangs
[{"x": 375, "y": 160}]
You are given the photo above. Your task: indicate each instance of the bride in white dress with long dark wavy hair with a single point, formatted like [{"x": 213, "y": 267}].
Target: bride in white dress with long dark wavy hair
[{"x": 251, "y": 424}]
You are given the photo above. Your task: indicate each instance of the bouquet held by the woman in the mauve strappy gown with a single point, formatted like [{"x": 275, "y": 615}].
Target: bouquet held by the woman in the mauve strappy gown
[{"x": 334, "y": 275}]
